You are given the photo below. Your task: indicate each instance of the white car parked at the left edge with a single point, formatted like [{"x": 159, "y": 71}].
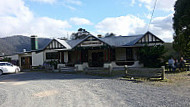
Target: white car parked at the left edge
[{"x": 6, "y": 67}]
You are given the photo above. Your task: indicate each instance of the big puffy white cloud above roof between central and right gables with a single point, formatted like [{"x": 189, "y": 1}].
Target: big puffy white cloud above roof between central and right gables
[{"x": 123, "y": 25}]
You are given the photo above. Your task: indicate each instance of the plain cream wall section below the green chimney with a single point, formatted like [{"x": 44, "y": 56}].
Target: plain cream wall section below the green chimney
[{"x": 37, "y": 58}]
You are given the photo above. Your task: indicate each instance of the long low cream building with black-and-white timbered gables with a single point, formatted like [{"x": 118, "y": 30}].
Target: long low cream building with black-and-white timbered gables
[{"x": 91, "y": 51}]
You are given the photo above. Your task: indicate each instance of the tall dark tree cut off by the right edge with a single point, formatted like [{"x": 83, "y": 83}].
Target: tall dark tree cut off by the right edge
[{"x": 181, "y": 27}]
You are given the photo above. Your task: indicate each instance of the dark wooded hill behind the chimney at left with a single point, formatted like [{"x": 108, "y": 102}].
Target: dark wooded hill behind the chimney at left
[{"x": 10, "y": 45}]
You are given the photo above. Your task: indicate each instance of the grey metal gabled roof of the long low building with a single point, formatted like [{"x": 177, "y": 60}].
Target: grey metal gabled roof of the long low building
[{"x": 114, "y": 41}]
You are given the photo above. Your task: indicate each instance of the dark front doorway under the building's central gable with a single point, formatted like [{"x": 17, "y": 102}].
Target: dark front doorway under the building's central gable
[{"x": 97, "y": 59}]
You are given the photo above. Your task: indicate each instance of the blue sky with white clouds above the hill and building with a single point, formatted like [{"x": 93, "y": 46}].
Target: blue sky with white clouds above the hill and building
[{"x": 60, "y": 18}]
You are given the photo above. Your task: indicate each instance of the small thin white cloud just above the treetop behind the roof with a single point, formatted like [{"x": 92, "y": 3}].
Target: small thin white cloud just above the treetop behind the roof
[{"x": 80, "y": 21}]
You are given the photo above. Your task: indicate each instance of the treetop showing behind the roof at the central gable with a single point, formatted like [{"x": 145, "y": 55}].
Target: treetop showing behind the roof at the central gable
[{"x": 82, "y": 33}]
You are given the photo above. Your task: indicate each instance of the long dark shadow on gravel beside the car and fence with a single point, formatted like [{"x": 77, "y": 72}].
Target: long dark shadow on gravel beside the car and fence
[{"x": 28, "y": 76}]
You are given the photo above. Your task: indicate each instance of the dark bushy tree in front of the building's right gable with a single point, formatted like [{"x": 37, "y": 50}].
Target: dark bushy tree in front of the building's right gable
[{"x": 151, "y": 56}]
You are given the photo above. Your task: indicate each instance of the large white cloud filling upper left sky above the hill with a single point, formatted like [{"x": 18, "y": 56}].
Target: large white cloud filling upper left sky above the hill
[{"x": 17, "y": 19}]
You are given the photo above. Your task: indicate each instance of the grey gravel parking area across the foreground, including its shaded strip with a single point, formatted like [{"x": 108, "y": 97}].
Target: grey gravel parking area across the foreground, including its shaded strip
[{"x": 37, "y": 89}]
